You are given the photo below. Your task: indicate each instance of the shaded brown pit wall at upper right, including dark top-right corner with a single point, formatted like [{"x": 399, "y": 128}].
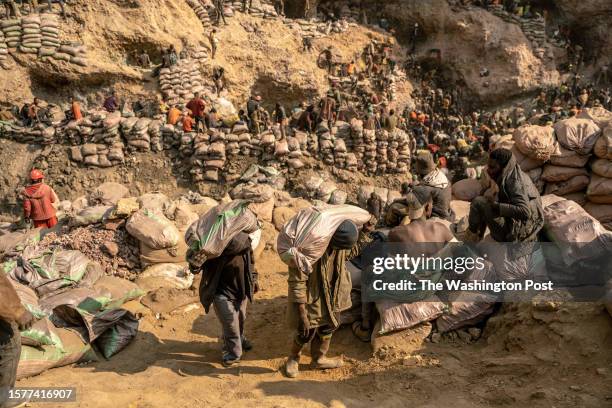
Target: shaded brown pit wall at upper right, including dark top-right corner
[{"x": 521, "y": 54}]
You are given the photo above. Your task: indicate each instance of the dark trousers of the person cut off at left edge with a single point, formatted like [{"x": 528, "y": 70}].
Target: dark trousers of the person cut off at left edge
[{"x": 10, "y": 351}]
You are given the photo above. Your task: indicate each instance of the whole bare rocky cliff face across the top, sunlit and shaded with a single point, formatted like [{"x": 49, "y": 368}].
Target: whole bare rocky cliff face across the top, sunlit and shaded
[{"x": 264, "y": 55}]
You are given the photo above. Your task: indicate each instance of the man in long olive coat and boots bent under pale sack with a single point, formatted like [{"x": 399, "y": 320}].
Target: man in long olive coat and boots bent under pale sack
[{"x": 316, "y": 299}]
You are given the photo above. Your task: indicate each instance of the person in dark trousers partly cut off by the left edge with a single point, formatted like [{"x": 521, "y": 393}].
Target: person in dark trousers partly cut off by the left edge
[{"x": 13, "y": 318}]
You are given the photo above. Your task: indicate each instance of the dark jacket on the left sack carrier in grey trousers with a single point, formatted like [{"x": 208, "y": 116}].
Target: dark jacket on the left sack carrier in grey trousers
[{"x": 237, "y": 252}]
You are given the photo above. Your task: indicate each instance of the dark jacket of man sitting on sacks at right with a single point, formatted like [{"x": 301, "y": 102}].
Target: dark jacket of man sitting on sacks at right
[{"x": 519, "y": 204}]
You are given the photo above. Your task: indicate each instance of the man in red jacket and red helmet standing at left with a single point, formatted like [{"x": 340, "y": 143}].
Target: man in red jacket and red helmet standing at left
[{"x": 38, "y": 200}]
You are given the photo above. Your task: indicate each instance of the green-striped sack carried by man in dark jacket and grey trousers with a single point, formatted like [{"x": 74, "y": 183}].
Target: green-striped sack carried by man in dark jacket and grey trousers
[{"x": 208, "y": 237}]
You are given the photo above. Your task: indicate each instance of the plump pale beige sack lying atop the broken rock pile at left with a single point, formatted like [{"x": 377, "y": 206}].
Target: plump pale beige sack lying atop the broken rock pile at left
[{"x": 152, "y": 228}]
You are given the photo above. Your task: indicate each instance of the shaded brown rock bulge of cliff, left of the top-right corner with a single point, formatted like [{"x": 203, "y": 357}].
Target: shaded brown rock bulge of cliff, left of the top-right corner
[{"x": 473, "y": 40}]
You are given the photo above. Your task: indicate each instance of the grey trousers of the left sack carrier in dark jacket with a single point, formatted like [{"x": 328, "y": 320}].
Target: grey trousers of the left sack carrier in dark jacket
[{"x": 231, "y": 315}]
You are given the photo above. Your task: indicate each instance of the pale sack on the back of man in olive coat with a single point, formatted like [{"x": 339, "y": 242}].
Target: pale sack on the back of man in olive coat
[{"x": 304, "y": 238}]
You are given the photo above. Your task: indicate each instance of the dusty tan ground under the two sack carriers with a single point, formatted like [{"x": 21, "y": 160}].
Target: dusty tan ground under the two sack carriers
[{"x": 537, "y": 356}]
